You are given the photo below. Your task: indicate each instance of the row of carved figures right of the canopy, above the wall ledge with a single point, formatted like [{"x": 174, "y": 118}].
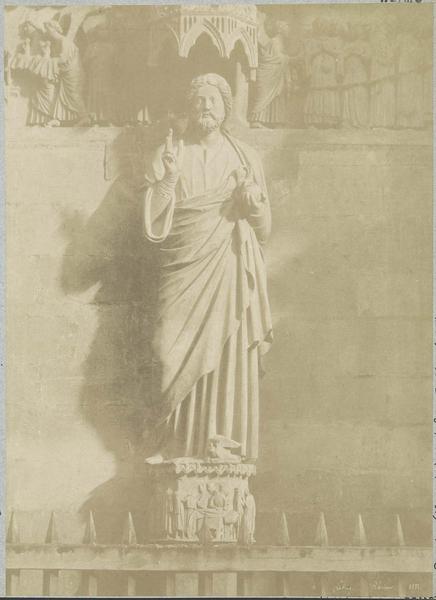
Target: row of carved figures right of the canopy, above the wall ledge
[{"x": 342, "y": 77}]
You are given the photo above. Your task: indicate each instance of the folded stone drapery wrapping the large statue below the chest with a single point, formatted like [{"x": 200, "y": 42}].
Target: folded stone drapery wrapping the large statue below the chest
[{"x": 214, "y": 320}]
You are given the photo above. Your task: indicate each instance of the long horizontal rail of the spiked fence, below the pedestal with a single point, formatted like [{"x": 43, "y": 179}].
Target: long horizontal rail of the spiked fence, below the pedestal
[{"x": 275, "y": 559}]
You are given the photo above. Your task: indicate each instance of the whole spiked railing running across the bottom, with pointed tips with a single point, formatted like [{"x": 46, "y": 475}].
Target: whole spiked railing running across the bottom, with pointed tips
[{"x": 207, "y": 569}]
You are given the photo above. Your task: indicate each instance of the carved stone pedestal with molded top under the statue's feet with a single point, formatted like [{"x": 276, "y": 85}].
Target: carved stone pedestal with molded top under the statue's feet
[{"x": 201, "y": 501}]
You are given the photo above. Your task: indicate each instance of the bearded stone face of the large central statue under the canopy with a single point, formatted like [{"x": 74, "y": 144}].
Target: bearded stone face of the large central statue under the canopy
[{"x": 207, "y": 109}]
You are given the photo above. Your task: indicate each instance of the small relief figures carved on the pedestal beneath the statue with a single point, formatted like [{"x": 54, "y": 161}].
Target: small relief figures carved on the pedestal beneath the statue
[{"x": 212, "y": 513}]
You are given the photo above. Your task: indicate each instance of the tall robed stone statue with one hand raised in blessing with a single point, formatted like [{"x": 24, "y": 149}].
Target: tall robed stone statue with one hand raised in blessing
[{"x": 207, "y": 206}]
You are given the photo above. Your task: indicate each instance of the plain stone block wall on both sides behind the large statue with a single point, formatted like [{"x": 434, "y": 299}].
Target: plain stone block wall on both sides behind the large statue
[{"x": 346, "y": 400}]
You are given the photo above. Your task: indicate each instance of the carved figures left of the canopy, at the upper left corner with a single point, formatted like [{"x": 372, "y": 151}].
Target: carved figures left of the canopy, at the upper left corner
[{"x": 68, "y": 85}]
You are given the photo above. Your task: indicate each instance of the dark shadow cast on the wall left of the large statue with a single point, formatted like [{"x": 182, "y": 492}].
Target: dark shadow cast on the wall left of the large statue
[{"x": 109, "y": 252}]
